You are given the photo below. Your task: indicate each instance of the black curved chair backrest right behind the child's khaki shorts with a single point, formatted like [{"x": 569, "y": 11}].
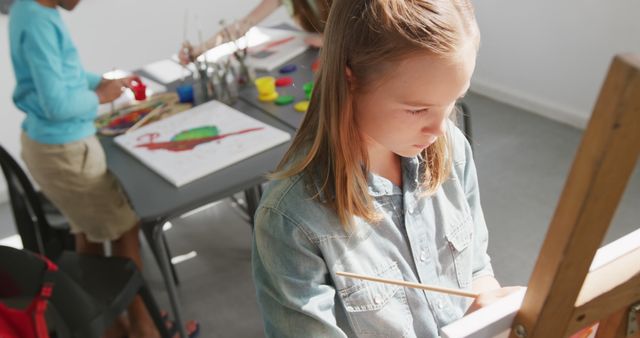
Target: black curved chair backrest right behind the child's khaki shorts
[{"x": 35, "y": 232}]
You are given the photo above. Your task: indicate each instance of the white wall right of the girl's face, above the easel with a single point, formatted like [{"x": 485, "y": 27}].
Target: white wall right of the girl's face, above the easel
[{"x": 550, "y": 56}]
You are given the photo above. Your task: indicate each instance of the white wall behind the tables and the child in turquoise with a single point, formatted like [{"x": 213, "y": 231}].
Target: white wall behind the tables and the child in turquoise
[{"x": 120, "y": 33}]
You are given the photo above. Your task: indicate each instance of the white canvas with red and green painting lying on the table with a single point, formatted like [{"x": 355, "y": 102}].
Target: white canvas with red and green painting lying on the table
[{"x": 245, "y": 137}]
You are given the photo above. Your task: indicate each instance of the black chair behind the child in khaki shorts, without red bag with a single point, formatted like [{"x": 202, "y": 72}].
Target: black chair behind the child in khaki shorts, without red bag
[{"x": 42, "y": 228}]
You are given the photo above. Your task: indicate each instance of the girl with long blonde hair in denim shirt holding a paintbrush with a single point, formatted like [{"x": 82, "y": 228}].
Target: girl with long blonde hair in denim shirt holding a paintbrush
[{"x": 379, "y": 182}]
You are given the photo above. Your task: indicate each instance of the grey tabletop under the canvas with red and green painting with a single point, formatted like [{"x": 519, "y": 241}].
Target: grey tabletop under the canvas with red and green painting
[{"x": 154, "y": 199}]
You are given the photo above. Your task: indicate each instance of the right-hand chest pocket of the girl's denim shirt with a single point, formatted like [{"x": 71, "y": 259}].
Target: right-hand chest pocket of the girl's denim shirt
[{"x": 459, "y": 242}]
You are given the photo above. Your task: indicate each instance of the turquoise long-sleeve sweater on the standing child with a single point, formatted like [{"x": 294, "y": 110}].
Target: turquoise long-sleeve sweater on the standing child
[{"x": 52, "y": 88}]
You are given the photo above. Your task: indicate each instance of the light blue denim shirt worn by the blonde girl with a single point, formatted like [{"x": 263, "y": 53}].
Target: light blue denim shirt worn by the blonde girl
[{"x": 440, "y": 239}]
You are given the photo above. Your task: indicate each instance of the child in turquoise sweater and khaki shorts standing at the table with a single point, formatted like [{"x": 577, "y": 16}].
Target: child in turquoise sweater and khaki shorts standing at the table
[{"x": 60, "y": 101}]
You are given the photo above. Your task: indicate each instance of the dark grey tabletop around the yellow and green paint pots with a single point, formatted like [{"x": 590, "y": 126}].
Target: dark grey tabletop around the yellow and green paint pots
[{"x": 286, "y": 114}]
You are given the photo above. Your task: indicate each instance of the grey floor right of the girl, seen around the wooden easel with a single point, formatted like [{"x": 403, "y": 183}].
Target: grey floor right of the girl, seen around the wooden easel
[{"x": 523, "y": 161}]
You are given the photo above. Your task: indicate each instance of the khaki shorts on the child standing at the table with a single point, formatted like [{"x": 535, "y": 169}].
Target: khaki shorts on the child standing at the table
[{"x": 75, "y": 178}]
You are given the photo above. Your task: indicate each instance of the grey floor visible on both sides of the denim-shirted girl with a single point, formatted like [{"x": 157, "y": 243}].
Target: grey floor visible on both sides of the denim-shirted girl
[{"x": 522, "y": 161}]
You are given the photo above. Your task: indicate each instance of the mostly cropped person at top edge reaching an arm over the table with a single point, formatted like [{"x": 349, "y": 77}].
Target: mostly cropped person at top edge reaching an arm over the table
[{"x": 311, "y": 15}]
